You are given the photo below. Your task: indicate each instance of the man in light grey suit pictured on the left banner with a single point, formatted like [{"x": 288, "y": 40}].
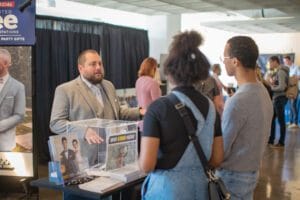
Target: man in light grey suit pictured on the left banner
[{"x": 12, "y": 103}]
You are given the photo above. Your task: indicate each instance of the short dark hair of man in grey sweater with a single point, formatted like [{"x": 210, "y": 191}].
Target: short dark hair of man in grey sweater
[{"x": 244, "y": 49}]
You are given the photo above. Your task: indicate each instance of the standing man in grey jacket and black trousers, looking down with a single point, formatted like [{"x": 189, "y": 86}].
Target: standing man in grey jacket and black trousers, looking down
[{"x": 279, "y": 84}]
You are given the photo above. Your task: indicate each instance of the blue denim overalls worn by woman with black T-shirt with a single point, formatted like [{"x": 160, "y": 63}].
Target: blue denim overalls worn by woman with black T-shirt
[{"x": 186, "y": 181}]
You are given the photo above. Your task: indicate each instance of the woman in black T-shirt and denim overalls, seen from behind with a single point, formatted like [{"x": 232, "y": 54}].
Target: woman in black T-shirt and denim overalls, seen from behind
[{"x": 175, "y": 171}]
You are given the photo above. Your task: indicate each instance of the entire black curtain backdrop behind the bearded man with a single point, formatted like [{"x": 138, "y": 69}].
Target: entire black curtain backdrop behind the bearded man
[{"x": 59, "y": 42}]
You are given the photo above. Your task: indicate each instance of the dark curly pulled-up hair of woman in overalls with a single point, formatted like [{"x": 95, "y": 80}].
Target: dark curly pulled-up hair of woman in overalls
[{"x": 186, "y": 64}]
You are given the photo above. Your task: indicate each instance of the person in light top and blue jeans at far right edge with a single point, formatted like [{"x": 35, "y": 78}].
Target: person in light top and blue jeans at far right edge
[{"x": 292, "y": 93}]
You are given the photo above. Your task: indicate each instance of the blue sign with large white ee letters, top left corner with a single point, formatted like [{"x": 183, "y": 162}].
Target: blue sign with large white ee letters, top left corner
[{"x": 17, "y": 22}]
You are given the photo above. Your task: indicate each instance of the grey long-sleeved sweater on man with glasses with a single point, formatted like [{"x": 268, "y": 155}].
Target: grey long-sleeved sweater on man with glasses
[{"x": 246, "y": 125}]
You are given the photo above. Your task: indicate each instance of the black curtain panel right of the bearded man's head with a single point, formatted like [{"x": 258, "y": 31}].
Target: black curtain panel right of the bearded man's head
[{"x": 123, "y": 50}]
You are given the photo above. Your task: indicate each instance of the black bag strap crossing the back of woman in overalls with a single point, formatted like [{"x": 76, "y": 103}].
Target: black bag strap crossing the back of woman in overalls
[{"x": 181, "y": 108}]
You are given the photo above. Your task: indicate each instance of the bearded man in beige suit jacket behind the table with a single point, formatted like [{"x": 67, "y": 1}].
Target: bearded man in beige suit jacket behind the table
[{"x": 78, "y": 100}]
